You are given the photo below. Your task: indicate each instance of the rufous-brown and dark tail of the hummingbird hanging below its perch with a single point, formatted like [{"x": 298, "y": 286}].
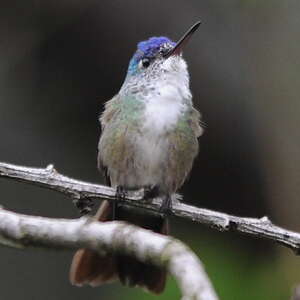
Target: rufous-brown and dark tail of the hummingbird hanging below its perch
[{"x": 89, "y": 267}]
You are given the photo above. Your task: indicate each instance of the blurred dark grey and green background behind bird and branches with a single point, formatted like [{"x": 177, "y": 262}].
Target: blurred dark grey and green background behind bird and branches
[{"x": 61, "y": 60}]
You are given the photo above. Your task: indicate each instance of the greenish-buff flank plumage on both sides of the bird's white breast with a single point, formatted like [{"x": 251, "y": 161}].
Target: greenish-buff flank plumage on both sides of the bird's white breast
[{"x": 122, "y": 125}]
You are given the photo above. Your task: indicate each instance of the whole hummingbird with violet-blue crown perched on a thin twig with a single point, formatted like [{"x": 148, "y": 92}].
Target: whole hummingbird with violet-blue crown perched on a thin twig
[{"x": 149, "y": 141}]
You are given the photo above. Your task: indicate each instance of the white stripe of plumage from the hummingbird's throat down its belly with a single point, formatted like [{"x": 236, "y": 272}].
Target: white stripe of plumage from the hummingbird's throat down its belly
[{"x": 164, "y": 105}]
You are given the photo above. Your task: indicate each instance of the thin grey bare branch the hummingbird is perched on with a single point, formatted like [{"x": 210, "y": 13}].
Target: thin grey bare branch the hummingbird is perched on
[{"x": 51, "y": 179}]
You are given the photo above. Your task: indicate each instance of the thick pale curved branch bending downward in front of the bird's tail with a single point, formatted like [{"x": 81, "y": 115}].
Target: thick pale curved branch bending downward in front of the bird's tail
[{"x": 22, "y": 231}]
